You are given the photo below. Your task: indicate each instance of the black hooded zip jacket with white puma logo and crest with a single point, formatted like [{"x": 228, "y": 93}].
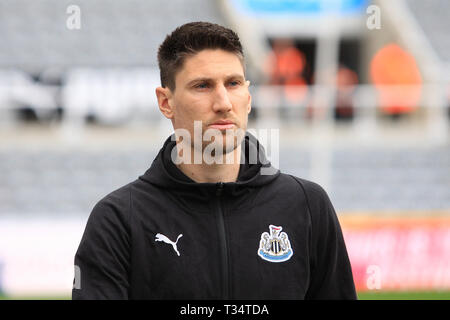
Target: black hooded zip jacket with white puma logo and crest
[{"x": 164, "y": 236}]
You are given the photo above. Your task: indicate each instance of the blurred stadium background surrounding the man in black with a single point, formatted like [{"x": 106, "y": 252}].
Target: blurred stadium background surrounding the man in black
[{"x": 359, "y": 91}]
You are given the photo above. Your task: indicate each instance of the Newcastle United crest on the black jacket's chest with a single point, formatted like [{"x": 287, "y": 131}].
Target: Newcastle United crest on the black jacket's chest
[{"x": 275, "y": 247}]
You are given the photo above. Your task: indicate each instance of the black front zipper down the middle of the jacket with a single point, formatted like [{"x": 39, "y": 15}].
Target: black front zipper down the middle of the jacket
[{"x": 223, "y": 242}]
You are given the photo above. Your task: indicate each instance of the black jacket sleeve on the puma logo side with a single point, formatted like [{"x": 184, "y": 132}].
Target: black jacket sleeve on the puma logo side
[{"x": 102, "y": 259}]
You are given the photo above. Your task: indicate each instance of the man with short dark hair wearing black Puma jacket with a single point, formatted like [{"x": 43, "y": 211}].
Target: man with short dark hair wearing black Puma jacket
[{"x": 193, "y": 228}]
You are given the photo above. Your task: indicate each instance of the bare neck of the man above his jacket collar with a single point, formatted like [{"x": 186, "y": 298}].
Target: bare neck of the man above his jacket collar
[{"x": 214, "y": 172}]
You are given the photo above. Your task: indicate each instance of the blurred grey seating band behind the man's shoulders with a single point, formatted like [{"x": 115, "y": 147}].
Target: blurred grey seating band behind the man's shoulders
[{"x": 71, "y": 182}]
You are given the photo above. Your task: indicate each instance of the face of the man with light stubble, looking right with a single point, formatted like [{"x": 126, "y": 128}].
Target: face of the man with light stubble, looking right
[{"x": 211, "y": 88}]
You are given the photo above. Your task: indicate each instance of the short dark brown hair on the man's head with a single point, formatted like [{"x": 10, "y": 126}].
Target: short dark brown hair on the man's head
[{"x": 190, "y": 39}]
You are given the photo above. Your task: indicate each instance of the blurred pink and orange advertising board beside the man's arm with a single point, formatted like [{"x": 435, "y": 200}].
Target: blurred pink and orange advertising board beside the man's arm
[{"x": 398, "y": 252}]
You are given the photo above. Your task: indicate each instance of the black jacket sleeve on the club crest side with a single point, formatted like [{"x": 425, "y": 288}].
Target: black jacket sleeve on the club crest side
[{"x": 331, "y": 273}]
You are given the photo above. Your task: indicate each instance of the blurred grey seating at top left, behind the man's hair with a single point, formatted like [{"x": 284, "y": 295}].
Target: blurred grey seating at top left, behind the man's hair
[{"x": 113, "y": 33}]
